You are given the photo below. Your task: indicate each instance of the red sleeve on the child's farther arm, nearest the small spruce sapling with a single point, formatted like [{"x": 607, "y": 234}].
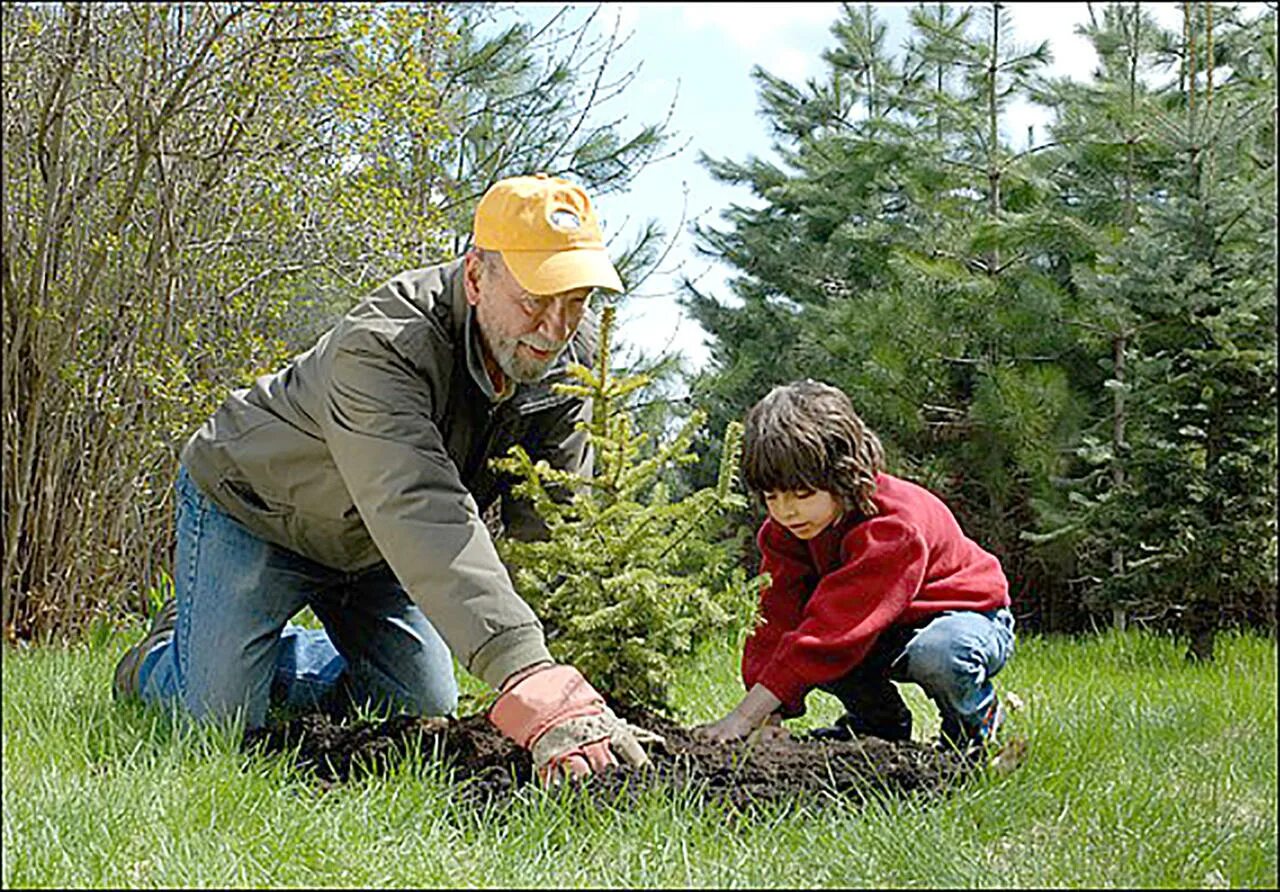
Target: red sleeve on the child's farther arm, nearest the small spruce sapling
[{"x": 792, "y": 574}]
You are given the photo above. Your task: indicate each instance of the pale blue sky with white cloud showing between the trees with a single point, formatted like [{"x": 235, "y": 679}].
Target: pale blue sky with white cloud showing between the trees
[{"x": 707, "y": 51}]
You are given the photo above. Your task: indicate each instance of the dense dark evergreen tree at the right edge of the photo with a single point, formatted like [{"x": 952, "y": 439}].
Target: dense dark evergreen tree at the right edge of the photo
[{"x": 1185, "y": 286}]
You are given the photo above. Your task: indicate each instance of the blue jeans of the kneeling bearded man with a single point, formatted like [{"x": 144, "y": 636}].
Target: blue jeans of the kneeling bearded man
[{"x": 235, "y": 649}]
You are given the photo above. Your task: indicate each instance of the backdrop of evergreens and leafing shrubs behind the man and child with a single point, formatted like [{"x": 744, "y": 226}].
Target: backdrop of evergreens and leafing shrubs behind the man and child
[{"x": 1073, "y": 344}]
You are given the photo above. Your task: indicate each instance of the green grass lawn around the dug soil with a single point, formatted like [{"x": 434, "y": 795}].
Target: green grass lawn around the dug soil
[{"x": 1141, "y": 772}]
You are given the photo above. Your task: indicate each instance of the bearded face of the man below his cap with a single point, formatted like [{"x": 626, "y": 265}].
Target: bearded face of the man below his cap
[{"x": 524, "y": 333}]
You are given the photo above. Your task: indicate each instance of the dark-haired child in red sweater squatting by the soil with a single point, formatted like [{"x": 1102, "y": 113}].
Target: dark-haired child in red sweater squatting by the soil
[{"x": 872, "y": 583}]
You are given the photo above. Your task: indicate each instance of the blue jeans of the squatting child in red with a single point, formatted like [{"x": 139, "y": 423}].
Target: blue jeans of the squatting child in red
[{"x": 952, "y": 656}]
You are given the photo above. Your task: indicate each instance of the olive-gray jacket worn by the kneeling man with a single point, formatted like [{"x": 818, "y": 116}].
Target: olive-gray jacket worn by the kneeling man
[{"x": 374, "y": 445}]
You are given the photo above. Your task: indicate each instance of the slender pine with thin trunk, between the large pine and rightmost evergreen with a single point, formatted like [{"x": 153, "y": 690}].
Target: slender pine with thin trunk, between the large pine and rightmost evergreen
[{"x": 1110, "y": 171}]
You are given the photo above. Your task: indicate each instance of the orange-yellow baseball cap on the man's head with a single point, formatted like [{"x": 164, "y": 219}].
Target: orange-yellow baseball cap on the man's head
[{"x": 547, "y": 232}]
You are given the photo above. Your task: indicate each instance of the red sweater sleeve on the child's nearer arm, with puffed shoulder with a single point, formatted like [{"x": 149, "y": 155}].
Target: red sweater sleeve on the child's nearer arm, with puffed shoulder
[{"x": 849, "y": 609}]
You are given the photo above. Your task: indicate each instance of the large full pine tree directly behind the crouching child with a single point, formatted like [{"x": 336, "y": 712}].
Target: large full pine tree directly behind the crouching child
[{"x": 906, "y": 255}]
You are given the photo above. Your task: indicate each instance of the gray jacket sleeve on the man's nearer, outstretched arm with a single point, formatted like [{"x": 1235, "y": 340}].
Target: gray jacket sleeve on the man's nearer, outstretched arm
[{"x": 378, "y": 424}]
